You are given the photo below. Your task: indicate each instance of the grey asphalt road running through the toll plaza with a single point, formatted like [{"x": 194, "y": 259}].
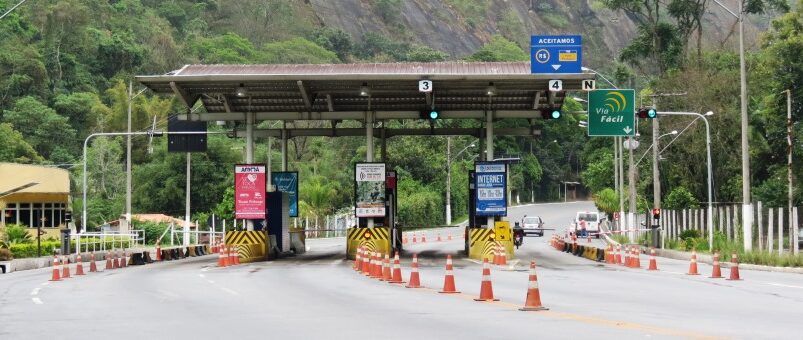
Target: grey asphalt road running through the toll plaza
[{"x": 319, "y": 296}]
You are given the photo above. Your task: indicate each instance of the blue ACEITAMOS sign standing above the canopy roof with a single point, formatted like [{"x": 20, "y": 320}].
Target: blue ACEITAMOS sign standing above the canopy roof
[{"x": 556, "y": 54}]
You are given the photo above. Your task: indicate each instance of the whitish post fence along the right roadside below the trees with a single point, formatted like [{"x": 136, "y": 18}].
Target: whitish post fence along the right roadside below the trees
[{"x": 774, "y": 228}]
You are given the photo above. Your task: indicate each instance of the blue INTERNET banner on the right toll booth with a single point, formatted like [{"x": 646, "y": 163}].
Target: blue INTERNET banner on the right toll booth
[{"x": 490, "y": 189}]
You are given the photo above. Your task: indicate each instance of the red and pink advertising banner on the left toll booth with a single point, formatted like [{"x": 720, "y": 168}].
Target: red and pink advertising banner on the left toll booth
[{"x": 249, "y": 191}]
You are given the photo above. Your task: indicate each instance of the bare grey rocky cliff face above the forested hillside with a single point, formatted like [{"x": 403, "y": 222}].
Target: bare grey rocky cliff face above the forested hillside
[{"x": 460, "y": 27}]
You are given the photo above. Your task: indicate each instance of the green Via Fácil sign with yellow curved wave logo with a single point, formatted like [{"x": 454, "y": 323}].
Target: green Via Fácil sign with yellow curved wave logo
[{"x": 612, "y": 113}]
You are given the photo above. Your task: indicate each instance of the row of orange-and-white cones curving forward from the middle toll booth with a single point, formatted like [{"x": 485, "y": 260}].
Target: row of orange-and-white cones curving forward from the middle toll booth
[{"x": 370, "y": 264}]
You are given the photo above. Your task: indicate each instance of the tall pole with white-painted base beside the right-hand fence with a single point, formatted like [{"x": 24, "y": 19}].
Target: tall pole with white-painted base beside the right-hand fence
[{"x": 747, "y": 206}]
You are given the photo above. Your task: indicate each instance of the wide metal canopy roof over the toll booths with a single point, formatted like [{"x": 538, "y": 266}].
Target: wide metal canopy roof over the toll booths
[{"x": 332, "y": 91}]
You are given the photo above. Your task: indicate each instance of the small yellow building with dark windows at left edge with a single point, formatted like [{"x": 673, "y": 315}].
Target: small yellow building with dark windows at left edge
[{"x": 34, "y": 196}]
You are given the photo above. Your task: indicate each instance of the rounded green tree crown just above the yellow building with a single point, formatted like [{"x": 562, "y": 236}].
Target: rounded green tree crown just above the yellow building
[{"x": 40, "y": 126}]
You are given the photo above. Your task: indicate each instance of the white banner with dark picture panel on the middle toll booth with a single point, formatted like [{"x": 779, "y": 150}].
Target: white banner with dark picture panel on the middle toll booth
[{"x": 370, "y": 189}]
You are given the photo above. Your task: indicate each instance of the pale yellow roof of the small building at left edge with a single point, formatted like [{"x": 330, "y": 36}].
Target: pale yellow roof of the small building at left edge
[{"x": 26, "y": 178}]
